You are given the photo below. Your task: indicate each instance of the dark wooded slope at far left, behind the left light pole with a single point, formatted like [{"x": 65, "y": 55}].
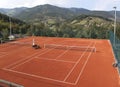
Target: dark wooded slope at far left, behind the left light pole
[{"x": 18, "y": 27}]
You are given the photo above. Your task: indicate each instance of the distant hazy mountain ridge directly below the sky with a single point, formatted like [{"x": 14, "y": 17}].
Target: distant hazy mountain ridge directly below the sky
[{"x": 48, "y": 11}]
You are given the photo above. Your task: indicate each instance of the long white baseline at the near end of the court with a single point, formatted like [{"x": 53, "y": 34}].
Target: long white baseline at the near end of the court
[{"x": 40, "y": 77}]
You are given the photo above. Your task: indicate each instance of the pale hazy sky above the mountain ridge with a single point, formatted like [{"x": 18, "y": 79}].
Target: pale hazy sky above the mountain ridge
[{"x": 88, "y": 4}]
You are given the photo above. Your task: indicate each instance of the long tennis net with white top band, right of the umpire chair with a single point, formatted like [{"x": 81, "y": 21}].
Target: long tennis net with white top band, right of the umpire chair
[{"x": 67, "y": 47}]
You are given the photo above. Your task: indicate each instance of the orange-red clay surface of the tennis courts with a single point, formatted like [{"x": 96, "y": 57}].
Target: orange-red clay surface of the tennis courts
[{"x": 49, "y": 67}]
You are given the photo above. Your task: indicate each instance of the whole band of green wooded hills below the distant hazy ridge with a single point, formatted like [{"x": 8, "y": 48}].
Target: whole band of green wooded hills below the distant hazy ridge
[{"x": 83, "y": 26}]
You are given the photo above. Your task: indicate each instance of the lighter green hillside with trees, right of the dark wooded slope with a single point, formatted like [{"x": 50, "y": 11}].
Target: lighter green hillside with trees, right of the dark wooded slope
[{"x": 83, "y": 26}]
